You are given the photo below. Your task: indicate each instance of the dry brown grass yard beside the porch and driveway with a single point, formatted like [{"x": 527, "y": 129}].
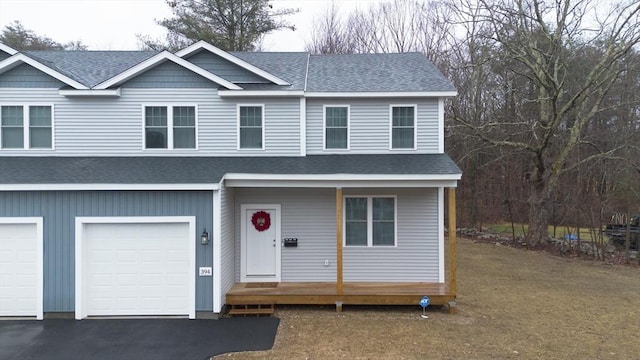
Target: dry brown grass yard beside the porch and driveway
[{"x": 512, "y": 304}]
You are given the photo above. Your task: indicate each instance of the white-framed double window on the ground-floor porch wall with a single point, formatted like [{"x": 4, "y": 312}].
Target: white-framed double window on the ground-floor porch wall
[{"x": 370, "y": 221}]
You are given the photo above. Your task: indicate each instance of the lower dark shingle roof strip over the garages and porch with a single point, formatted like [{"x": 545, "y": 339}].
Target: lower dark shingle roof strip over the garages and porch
[{"x": 208, "y": 170}]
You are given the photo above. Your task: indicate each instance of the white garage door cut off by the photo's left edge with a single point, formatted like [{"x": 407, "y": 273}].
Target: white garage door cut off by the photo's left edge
[{"x": 20, "y": 269}]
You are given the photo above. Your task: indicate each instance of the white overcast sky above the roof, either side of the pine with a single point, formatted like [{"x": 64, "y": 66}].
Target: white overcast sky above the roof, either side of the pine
[{"x": 113, "y": 24}]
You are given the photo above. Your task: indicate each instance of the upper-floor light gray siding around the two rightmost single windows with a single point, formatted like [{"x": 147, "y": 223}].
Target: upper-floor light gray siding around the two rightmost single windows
[{"x": 369, "y": 125}]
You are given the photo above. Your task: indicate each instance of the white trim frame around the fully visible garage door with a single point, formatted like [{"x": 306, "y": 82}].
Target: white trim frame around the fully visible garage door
[{"x": 81, "y": 221}]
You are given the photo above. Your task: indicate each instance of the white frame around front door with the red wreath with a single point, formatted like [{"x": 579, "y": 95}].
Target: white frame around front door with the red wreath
[{"x": 243, "y": 243}]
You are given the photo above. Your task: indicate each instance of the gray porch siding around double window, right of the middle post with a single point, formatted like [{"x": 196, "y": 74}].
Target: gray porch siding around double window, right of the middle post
[{"x": 415, "y": 258}]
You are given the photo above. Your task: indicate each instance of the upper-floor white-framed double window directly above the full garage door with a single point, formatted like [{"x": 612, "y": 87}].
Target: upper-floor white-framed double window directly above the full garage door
[{"x": 170, "y": 127}]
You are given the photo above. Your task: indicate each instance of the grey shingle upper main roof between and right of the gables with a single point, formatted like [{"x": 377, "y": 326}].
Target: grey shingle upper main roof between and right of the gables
[{"x": 406, "y": 72}]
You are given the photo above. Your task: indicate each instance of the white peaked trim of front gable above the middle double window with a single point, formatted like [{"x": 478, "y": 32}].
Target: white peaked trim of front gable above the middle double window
[{"x": 159, "y": 59}]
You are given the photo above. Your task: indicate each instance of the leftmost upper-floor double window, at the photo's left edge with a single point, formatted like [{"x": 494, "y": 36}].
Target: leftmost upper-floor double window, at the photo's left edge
[{"x": 26, "y": 127}]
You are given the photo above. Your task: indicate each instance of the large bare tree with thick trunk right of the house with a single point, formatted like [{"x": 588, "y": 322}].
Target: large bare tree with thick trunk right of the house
[{"x": 554, "y": 103}]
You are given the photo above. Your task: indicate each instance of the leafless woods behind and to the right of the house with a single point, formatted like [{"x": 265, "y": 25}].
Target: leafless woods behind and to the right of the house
[{"x": 545, "y": 126}]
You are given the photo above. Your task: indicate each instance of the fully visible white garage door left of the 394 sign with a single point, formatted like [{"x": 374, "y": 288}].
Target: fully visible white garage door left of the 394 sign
[{"x": 137, "y": 269}]
